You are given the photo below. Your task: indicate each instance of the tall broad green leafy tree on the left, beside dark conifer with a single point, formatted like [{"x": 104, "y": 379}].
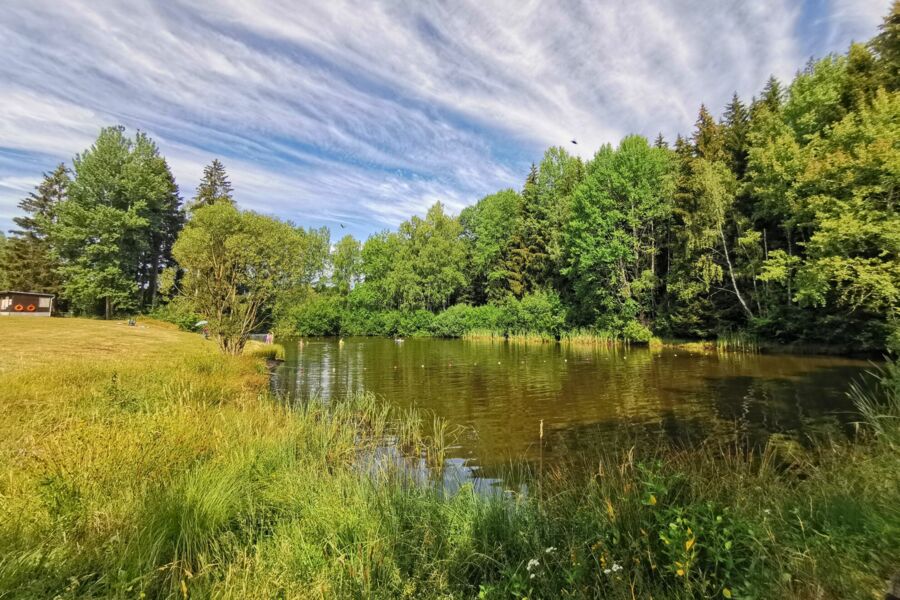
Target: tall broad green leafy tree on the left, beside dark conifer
[{"x": 114, "y": 232}]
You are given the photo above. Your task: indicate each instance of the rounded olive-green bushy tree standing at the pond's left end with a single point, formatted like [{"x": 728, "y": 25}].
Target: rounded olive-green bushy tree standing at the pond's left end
[{"x": 236, "y": 264}]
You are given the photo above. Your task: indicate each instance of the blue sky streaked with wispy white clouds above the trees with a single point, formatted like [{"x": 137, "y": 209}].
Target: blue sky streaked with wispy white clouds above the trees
[{"x": 357, "y": 115}]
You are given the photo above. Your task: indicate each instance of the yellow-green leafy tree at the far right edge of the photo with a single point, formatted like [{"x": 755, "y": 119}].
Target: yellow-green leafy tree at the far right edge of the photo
[{"x": 849, "y": 187}]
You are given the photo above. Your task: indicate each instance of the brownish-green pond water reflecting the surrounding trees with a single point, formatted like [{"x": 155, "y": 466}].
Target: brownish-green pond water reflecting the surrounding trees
[{"x": 500, "y": 391}]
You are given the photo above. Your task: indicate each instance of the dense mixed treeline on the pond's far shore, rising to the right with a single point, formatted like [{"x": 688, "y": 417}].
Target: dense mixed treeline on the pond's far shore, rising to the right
[{"x": 779, "y": 219}]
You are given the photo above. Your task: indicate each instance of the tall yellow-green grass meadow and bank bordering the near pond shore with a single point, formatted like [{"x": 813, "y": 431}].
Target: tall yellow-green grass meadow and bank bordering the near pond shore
[{"x": 138, "y": 461}]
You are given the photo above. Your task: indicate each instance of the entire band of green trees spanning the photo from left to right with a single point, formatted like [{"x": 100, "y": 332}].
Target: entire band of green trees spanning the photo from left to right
[{"x": 777, "y": 220}]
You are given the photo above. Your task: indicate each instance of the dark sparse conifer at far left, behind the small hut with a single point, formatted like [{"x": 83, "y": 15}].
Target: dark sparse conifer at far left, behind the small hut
[{"x": 30, "y": 263}]
